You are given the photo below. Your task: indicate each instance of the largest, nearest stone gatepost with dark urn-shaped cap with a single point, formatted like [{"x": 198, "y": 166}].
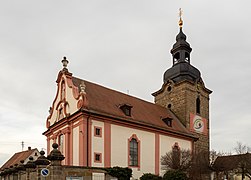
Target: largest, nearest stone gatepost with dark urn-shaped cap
[{"x": 56, "y": 157}]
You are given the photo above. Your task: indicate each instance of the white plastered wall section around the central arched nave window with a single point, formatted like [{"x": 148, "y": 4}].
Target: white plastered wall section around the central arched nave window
[{"x": 119, "y": 149}]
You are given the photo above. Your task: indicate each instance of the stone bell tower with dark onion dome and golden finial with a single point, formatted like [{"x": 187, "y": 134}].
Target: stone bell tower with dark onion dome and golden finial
[{"x": 184, "y": 93}]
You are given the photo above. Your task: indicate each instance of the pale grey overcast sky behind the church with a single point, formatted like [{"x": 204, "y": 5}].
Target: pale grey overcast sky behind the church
[{"x": 123, "y": 45}]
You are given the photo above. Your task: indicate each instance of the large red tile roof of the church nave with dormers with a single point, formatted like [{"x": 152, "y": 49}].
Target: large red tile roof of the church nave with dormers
[{"x": 107, "y": 101}]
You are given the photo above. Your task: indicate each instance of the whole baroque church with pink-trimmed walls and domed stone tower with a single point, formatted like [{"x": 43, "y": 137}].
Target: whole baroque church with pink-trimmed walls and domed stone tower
[{"x": 99, "y": 127}]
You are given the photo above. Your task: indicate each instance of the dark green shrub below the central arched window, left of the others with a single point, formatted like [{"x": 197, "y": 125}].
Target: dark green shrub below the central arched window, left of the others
[{"x": 120, "y": 173}]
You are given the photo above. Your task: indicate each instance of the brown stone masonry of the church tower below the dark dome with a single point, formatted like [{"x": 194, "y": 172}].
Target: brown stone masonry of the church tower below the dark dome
[{"x": 180, "y": 98}]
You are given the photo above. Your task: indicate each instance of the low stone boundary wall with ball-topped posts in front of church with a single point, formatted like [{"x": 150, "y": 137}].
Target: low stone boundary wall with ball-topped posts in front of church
[{"x": 32, "y": 170}]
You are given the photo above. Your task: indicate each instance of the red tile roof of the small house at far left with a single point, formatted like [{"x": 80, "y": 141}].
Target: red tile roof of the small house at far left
[{"x": 17, "y": 157}]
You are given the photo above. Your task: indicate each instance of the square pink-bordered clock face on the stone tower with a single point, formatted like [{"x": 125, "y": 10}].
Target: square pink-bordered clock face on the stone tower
[{"x": 198, "y": 124}]
